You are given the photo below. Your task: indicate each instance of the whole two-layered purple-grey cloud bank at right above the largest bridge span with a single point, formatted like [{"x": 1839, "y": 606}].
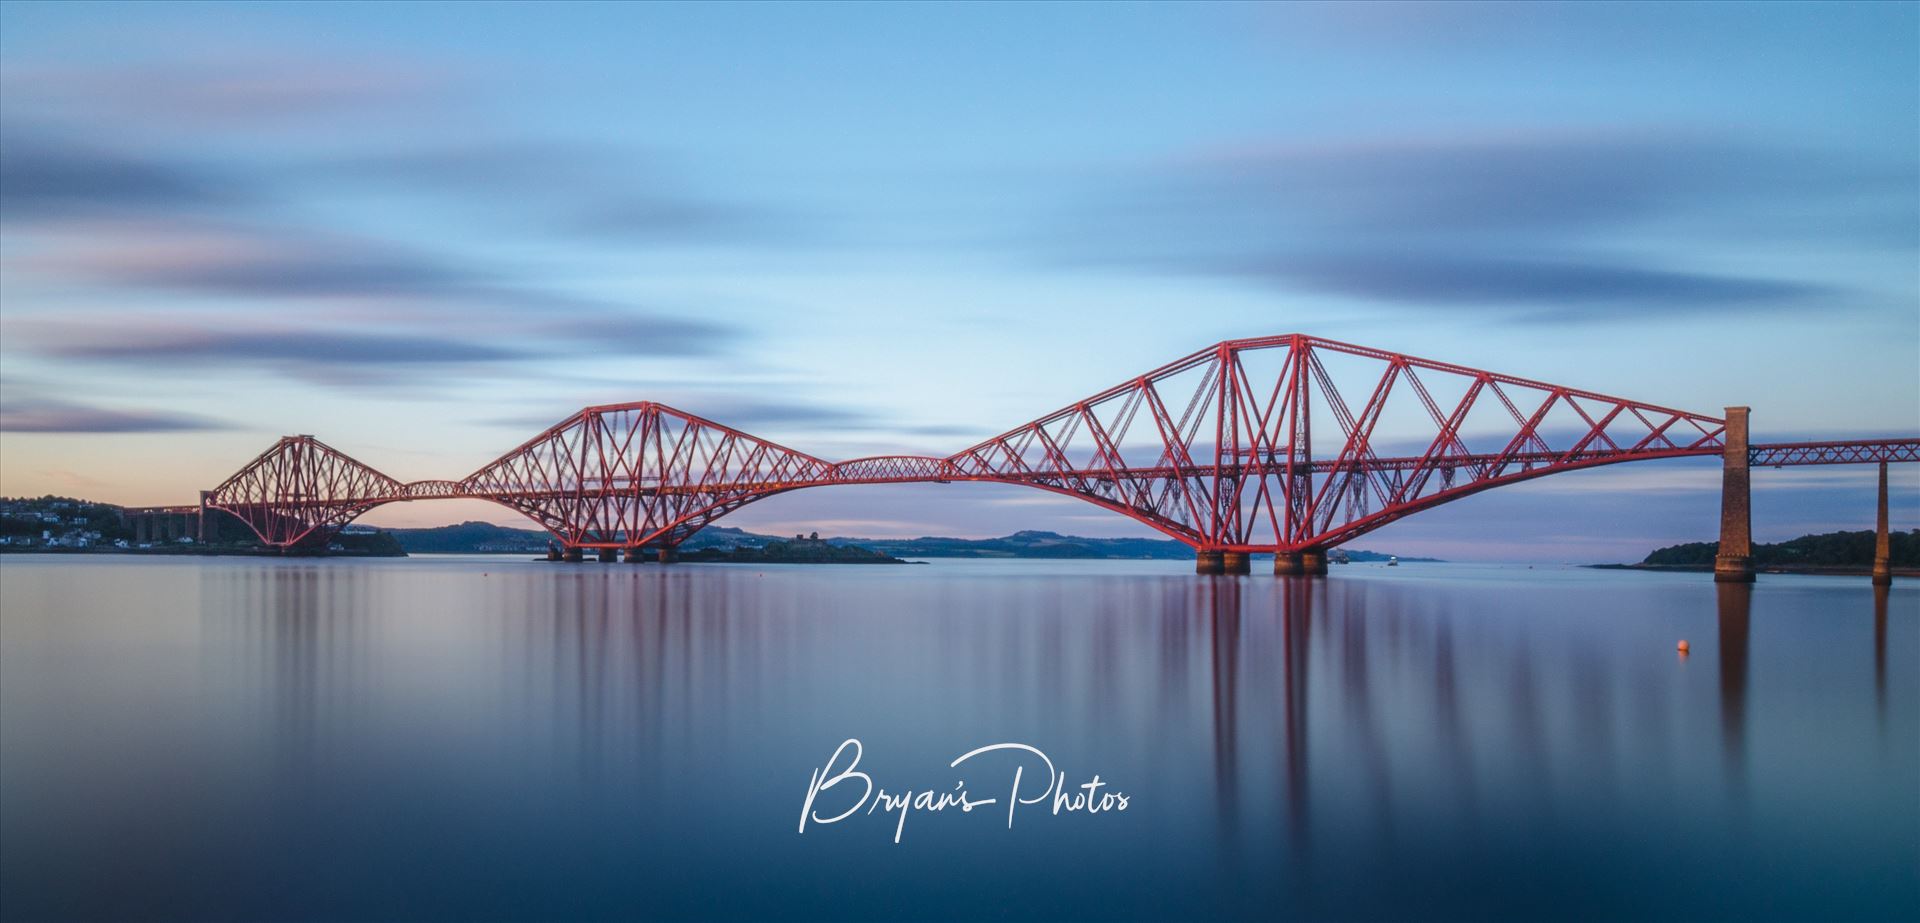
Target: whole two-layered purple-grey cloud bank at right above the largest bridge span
[{"x": 1524, "y": 225}]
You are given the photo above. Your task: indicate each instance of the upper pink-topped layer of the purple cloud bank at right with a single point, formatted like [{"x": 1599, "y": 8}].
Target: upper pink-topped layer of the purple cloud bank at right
[{"x": 1508, "y": 183}]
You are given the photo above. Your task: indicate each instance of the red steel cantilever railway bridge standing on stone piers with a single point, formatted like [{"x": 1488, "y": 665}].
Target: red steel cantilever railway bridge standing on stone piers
[{"x": 1249, "y": 446}]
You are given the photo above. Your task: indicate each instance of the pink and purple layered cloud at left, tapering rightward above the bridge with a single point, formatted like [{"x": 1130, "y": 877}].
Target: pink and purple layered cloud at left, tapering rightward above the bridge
[{"x": 314, "y": 306}]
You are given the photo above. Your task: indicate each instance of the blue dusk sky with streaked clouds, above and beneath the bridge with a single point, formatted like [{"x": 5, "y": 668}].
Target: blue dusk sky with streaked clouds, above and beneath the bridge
[{"x": 427, "y": 231}]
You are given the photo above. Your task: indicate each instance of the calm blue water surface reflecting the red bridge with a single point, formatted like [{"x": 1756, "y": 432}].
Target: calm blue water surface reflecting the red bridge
[{"x": 504, "y": 740}]
